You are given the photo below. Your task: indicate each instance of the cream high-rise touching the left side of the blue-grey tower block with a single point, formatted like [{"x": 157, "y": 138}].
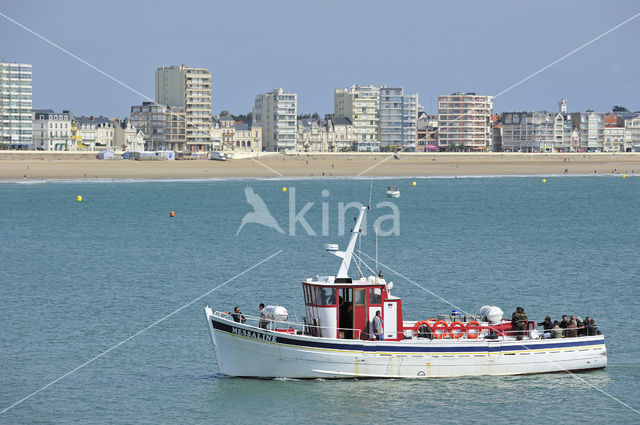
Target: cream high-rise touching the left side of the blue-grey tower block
[{"x": 360, "y": 105}]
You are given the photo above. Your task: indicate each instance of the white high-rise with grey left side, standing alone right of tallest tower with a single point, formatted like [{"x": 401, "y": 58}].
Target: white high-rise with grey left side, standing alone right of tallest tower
[{"x": 276, "y": 113}]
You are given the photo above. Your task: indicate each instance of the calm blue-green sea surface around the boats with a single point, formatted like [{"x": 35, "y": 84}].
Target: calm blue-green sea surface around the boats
[{"x": 79, "y": 277}]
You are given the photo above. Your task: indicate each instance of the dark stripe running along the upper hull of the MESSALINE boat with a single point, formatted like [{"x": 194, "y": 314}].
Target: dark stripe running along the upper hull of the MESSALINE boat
[{"x": 406, "y": 348}]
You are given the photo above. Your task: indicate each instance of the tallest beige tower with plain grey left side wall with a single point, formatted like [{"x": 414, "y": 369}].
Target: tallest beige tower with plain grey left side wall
[{"x": 188, "y": 88}]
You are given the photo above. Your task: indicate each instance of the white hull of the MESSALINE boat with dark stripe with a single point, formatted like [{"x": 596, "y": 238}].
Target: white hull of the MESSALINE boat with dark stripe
[{"x": 247, "y": 351}]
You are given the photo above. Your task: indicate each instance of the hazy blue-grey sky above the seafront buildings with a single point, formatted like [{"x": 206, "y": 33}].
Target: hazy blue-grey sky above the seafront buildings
[{"x": 310, "y": 48}]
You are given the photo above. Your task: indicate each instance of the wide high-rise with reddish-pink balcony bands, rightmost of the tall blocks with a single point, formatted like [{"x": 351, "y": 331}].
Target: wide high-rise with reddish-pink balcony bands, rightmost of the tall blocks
[{"x": 464, "y": 121}]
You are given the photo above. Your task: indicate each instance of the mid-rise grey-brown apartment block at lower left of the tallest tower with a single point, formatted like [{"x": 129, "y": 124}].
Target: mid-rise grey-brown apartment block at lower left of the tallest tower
[{"x": 164, "y": 127}]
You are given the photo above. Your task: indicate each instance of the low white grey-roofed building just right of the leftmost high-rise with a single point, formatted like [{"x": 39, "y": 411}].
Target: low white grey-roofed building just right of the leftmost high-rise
[{"x": 51, "y": 131}]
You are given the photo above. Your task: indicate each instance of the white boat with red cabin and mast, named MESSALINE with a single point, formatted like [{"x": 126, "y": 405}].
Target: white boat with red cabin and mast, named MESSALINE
[{"x": 336, "y": 338}]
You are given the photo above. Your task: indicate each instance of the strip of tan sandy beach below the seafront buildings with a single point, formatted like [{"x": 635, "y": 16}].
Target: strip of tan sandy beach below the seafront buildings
[{"x": 327, "y": 165}]
